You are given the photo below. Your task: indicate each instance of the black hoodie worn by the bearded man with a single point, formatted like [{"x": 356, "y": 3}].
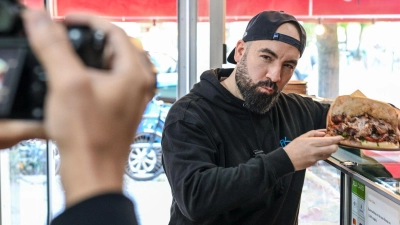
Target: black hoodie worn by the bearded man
[{"x": 210, "y": 156}]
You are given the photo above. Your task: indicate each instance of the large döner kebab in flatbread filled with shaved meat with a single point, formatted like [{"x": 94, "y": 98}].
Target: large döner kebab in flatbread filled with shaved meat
[{"x": 363, "y": 122}]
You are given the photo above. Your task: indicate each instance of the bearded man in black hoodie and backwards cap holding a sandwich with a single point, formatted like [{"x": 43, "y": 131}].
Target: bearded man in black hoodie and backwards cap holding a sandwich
[{"x": 235, "y": 148}]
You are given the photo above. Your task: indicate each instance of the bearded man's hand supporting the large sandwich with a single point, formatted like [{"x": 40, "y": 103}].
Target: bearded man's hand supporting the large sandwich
[{"x": 311, "y": 147}]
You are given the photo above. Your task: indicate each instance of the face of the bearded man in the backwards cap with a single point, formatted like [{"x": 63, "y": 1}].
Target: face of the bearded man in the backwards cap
[{"x": 264, "y": 68}]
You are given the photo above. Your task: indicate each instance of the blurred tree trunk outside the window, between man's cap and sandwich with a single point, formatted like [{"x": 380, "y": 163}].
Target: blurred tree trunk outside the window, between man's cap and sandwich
[{"x": 328, "y": 61}]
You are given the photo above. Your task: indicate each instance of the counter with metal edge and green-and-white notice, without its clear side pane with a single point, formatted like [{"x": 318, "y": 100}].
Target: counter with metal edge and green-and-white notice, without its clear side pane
[{"x": 369, "y": 186}]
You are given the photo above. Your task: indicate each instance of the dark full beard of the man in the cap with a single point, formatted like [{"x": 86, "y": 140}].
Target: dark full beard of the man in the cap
[{"x": 254, "y": 100}]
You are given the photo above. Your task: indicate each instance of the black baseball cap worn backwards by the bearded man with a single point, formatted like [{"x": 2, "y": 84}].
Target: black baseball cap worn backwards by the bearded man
[{"x": 263, "y": 26}]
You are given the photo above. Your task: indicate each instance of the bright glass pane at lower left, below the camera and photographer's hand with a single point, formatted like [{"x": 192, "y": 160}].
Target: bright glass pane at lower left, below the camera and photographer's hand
[{"x": 26, "y": 184}]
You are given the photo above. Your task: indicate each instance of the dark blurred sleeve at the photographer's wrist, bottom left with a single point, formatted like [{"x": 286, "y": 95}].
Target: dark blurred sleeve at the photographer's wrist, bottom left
[{"x": 111, "y": 208}]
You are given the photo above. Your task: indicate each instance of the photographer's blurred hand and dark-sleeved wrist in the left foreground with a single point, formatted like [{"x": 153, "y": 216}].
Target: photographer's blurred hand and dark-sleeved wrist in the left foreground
[{"x": 91, "y": 114}]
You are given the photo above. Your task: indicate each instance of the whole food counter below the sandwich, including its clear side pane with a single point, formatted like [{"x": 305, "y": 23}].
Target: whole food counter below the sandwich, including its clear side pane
[{"x": 352, "y": 187}]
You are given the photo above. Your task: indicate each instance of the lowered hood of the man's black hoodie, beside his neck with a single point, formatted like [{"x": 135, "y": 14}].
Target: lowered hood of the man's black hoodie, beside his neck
[{"x": 211, "y": 89}]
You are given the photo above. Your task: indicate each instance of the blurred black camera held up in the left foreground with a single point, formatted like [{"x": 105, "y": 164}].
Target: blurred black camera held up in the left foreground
[{"x": 22, "y": 78}]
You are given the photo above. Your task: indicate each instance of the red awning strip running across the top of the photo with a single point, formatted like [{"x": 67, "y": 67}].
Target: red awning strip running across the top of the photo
[{"x": 139, "y": 10}]
